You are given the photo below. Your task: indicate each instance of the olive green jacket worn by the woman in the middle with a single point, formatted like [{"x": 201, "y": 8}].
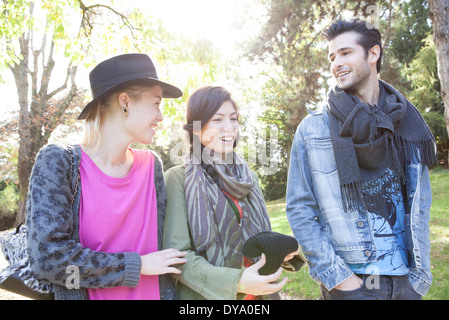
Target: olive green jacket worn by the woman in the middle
[{"x": 199, "y": 279}]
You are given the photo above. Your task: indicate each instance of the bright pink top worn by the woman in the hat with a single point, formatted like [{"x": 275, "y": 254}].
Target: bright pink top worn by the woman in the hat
[{"x": 120, "y": 215}]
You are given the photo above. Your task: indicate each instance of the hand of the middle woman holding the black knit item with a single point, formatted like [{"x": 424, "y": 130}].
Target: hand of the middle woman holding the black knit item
[{"x": 251, "y": 282}]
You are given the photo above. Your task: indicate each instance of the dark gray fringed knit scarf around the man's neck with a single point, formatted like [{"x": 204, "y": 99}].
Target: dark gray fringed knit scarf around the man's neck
[{"x": 367, "y": 140}]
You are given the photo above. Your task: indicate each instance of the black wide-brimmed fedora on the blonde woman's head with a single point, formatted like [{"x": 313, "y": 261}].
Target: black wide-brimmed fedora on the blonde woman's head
[{"x": 123, "y": 71}]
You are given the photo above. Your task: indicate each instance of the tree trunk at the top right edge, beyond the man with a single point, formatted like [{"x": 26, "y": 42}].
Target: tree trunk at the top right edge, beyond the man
[{"x": 439, "y": 14}]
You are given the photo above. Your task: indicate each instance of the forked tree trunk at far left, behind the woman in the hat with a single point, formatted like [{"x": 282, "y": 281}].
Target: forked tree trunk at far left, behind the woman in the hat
[{"x": 38, "y": 118}]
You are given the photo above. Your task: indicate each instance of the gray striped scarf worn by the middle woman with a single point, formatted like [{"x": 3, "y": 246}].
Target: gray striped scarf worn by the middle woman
[{"x": 211, "y": 216}]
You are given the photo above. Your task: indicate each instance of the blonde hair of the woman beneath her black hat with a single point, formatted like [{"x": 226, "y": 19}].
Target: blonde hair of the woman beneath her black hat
[{"x": 91, "y": 136}]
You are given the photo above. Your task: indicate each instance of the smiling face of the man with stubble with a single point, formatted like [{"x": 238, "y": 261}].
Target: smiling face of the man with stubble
[{"x": 350, "y": 65}]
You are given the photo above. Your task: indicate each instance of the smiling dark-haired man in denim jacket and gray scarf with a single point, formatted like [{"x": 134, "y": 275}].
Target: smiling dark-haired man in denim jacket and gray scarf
[{"x": 358, "y": 192}]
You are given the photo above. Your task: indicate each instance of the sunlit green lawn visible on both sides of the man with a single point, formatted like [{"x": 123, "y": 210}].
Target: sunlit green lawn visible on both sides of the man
[{"x": 301, "y": 286}]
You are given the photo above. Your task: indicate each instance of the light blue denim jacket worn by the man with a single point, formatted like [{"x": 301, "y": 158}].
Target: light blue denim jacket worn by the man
[{"x": 330, "y": 238}]
